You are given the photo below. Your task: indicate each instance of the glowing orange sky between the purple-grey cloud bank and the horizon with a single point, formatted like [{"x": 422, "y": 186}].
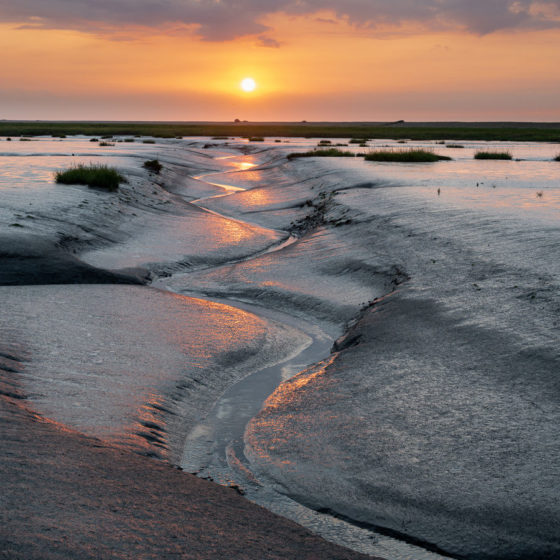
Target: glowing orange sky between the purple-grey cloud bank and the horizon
[{"x": 321, "y": 69}]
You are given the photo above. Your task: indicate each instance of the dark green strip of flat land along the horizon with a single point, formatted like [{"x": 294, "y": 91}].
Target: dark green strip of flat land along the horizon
[{"x": 492, "y": 131}]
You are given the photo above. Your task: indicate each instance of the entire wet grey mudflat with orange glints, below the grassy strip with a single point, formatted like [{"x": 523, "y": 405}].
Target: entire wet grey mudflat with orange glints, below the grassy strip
[{"x": 434, "y": 420}]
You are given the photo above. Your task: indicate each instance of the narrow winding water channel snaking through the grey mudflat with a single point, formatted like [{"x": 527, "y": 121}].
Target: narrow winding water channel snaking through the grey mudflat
[{"x": 214, "y": 449}]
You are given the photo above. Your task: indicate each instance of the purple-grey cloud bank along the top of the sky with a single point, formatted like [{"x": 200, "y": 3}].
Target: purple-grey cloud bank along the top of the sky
[{"x": 220, "y": 20}]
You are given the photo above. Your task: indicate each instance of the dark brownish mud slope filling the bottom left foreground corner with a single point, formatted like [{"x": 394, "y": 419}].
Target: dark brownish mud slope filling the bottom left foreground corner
[{"x": 67, "y": 496}]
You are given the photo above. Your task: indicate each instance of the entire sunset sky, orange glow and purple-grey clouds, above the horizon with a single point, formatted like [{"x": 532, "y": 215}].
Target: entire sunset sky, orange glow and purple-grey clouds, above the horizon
[{"x": 333, "y": 60}]
